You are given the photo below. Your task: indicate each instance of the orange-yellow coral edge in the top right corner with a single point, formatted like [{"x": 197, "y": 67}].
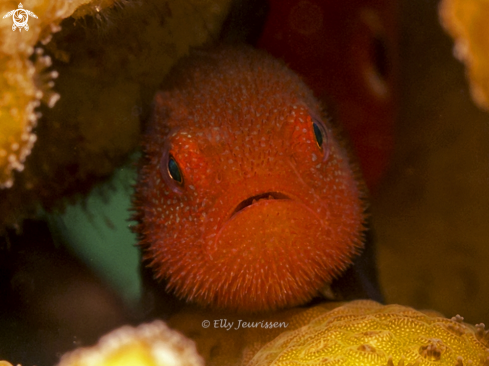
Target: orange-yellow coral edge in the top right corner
[{"x": 466, "y": 21}]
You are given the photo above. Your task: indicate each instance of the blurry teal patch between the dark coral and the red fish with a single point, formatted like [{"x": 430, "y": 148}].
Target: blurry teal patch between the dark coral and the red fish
[{"x": 98, "y": 231}]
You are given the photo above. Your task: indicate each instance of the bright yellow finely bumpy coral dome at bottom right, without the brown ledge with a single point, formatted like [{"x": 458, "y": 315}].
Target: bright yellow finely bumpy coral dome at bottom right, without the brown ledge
[{"x": 367, "y": 333}]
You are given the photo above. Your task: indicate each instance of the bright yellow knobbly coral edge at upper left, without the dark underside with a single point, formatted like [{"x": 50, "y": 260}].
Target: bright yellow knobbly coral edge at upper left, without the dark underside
[{"x": 19, "y": 81}]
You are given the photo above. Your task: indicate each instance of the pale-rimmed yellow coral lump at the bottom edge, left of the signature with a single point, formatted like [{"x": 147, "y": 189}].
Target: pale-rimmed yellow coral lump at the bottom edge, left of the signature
[{"x": 152, "y": 344}]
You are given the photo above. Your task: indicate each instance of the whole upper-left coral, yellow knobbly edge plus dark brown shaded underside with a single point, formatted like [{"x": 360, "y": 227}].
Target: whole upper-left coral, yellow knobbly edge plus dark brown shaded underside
[{"x": 110, "y": 57}]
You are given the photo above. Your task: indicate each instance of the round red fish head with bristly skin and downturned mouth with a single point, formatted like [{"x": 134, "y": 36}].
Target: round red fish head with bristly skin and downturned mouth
[{"x": 240, "y": 126}]
